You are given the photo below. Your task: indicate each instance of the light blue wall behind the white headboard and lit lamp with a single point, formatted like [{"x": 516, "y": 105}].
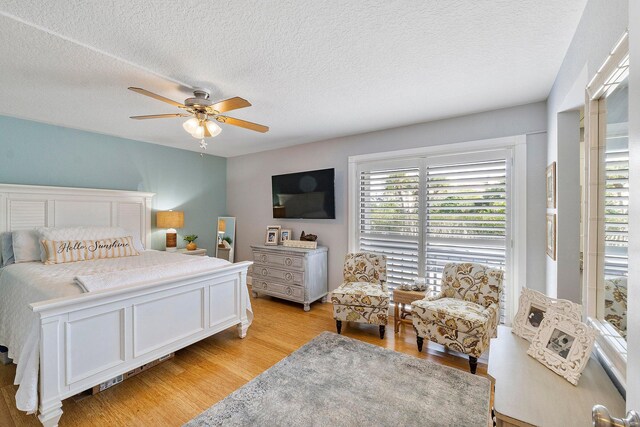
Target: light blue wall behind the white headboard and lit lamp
[{"x": 39, "y": 154}]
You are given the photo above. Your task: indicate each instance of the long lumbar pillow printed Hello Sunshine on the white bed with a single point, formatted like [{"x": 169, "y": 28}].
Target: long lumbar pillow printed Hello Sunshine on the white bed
[{"x": 61, "y": 251}]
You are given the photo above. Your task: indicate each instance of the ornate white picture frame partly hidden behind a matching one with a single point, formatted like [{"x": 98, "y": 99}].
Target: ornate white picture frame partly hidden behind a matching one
[{"x": 532, "y": 309}]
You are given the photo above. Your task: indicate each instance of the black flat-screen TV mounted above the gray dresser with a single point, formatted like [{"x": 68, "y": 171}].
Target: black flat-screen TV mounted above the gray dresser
[{"x": 304, "y": 195}]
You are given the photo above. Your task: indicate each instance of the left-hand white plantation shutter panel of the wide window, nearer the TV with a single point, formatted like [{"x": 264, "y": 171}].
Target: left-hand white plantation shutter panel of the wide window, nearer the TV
[{"x": 389, "y": 218}]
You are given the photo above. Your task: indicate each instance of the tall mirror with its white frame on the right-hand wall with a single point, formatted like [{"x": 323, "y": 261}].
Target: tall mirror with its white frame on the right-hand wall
[{"x": 607, "y": 206}]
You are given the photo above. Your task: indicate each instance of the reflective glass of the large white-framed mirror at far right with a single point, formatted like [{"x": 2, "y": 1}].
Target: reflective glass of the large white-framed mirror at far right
[{"x": 614, "y": 205}]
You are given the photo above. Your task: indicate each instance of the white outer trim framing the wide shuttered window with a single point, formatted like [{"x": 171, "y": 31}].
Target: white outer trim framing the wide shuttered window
[{"x": 517, "y": 218}]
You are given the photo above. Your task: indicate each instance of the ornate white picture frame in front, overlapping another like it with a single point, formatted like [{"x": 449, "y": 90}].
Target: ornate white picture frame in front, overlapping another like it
[{"x": 563, "y": 345}]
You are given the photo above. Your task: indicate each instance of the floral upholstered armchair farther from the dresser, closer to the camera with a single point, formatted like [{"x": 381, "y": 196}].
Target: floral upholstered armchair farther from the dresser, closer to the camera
[{"x": 464, "y": 316}]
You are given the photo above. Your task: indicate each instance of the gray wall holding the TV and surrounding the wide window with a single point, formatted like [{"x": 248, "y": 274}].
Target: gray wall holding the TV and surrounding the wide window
[{"x": 249, "y": 178}]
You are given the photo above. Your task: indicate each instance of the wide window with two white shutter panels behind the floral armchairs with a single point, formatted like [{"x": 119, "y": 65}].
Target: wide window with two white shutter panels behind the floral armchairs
[{"x": 427, "y": 210}]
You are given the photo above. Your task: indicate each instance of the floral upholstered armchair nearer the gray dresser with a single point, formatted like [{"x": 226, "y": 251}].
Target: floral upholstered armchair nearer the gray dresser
[{"x": 363, "y": 297}]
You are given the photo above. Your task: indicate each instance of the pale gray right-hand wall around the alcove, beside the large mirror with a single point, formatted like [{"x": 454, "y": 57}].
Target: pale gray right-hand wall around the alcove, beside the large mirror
[{"x": 602, "y": 24}]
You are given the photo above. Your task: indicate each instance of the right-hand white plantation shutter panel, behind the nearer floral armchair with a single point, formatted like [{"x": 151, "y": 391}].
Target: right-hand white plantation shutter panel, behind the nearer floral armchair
[{"x": 466, "y": 214}]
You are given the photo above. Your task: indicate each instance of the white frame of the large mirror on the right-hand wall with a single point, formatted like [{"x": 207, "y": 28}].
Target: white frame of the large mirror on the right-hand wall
[{"x": 612, "y": 350}]
